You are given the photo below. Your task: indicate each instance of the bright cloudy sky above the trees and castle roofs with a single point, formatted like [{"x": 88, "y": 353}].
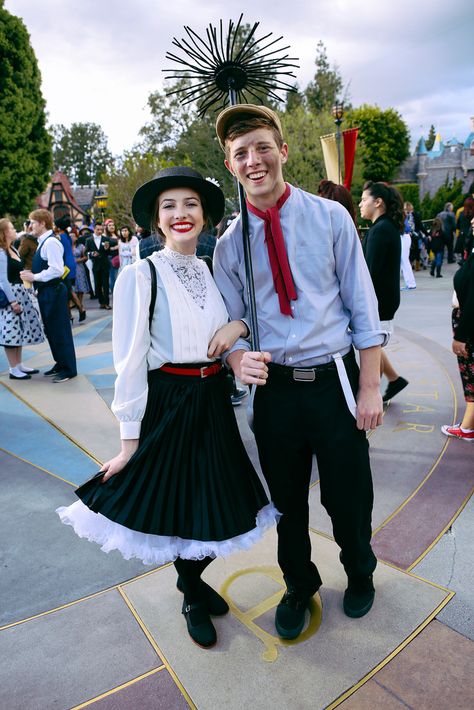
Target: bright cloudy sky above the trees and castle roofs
[{"x": 100, "y": 59}]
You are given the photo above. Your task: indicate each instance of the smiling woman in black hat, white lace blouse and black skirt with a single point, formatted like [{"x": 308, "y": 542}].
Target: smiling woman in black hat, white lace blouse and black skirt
[{"x": 182, "y": 488}]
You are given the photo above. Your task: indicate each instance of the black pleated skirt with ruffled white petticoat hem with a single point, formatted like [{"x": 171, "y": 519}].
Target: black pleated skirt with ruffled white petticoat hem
[{"x": 190, "y": 489}]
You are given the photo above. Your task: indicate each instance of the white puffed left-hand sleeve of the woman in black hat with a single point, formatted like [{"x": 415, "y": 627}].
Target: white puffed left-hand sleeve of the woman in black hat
[{"x": 131, "y": 344}]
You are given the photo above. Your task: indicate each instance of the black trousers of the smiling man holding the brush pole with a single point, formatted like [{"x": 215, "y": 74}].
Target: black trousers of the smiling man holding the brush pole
[{"x": 292, "y": 421}]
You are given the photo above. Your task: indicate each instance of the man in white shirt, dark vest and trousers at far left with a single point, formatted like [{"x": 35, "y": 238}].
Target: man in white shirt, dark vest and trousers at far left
[{"x": 46, "y": 274}]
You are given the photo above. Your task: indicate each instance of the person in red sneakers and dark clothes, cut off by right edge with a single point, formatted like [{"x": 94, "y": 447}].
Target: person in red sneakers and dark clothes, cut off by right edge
[{"x": 463, "y": 344}]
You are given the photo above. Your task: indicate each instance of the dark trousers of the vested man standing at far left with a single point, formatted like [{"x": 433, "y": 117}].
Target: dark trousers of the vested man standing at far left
[{"x": 57, "y": 326}]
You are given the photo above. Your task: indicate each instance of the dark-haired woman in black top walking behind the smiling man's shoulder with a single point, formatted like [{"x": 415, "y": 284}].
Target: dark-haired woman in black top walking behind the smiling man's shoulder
[{"x": 382, "y": 205}]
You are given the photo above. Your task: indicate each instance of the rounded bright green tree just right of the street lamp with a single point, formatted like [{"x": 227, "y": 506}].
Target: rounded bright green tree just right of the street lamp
[{"x": 385, "y": 140}]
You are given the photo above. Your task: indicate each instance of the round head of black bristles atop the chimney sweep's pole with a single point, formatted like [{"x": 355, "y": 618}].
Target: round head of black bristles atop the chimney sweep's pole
[{"x": 216, "y": 69}]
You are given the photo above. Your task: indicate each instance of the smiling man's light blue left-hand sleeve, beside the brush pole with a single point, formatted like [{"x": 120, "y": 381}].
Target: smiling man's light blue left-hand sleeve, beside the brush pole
[{"x": 226, "y": 276}]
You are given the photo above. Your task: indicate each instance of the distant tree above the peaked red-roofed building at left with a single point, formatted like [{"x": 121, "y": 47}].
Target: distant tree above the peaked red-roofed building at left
[{"x": 81, "y": 152}]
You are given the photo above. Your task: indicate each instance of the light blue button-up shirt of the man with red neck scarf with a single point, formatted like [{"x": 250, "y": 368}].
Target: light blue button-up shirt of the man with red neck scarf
[{"x": 336, "y": 305}]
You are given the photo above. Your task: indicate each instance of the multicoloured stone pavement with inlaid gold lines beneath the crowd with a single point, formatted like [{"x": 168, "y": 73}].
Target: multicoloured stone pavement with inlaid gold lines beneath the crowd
[{"x": 79, "y": 628}]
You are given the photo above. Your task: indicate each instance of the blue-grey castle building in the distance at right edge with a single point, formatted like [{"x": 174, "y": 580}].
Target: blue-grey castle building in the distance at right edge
[{"x": 449, "y": 161}]
